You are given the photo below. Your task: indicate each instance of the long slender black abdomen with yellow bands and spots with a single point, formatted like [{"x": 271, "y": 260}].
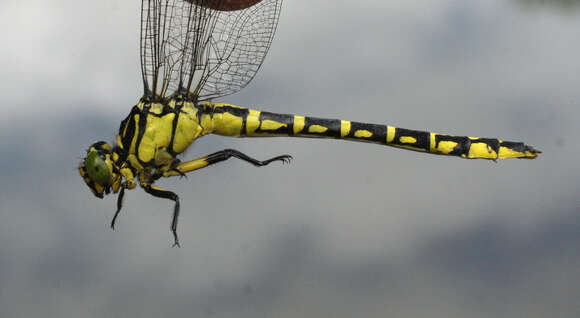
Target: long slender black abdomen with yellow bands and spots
[{"x": 230, "y": 120}]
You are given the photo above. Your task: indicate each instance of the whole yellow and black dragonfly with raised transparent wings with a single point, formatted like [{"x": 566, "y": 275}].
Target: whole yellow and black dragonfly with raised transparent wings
[{"x": 194, "y": 51}]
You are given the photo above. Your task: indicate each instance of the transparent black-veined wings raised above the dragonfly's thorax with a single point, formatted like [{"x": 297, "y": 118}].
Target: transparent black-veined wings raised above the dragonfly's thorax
[{"x": 204, "y": 48}]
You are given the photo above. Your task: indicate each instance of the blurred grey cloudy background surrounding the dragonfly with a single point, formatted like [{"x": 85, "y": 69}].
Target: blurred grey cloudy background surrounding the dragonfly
[{"x": 347, "y": 229}]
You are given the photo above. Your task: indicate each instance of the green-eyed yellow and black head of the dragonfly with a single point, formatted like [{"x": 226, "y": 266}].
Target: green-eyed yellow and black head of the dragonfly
[{"x": 97, "y": 169}]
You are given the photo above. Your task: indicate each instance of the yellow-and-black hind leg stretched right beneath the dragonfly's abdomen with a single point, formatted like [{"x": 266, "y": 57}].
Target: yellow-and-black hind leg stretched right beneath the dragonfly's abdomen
[{"x": 219, "y": 156}]
